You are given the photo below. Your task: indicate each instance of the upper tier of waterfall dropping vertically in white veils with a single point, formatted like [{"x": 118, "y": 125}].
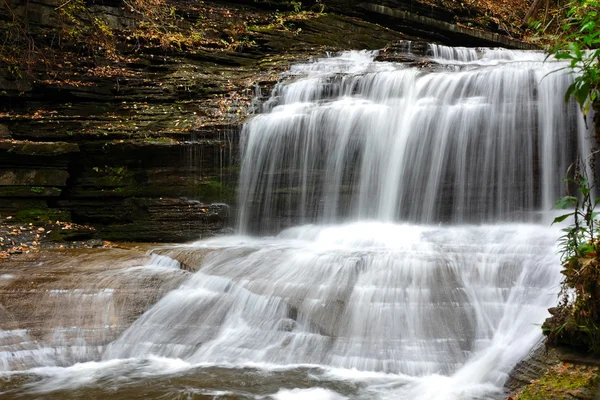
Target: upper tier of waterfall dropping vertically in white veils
[{"x": 485, "y": 136}]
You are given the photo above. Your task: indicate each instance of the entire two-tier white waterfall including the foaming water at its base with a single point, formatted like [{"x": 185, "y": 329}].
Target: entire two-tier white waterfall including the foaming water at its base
[{"x": 361, "y": 295}]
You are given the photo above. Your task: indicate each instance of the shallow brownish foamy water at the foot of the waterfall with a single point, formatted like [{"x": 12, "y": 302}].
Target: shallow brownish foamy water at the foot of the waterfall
[{"x": 156, "y": 379}]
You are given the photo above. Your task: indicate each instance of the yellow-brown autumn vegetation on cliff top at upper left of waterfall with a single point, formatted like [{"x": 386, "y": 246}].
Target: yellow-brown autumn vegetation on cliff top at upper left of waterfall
[{"x": 82, "y": 32}]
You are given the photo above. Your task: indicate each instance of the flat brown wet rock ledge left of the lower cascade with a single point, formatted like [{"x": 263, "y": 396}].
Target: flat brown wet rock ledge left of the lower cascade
[{"x": 68, "y": 303}]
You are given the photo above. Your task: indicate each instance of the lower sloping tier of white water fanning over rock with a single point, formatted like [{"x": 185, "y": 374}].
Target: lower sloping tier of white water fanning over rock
[{"x": 381, "y": 297}]
